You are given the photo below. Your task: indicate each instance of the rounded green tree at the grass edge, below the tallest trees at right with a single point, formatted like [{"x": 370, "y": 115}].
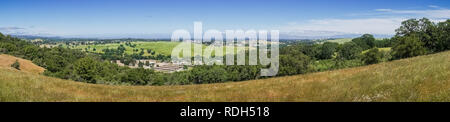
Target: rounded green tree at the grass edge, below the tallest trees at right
[{"x": 407, "y": 46}]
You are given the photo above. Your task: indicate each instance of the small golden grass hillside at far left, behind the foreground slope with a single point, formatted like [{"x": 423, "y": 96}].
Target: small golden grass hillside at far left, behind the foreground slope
[{"x": 25, "y": 65}]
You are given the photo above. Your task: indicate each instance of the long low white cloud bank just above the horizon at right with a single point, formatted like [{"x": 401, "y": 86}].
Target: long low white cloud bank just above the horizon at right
[{"x": 333, "y": 27}]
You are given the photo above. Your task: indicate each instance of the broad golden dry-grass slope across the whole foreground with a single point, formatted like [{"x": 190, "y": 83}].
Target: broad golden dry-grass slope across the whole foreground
[{"x": 424, "y": 78}]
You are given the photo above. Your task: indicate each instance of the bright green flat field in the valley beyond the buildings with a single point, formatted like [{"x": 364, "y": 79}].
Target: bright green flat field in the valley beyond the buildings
[{"x": 160, "y": 47}]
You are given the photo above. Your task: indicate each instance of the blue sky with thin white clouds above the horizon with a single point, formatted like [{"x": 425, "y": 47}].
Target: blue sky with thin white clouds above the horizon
[{"x": 159, "y": 18}]
